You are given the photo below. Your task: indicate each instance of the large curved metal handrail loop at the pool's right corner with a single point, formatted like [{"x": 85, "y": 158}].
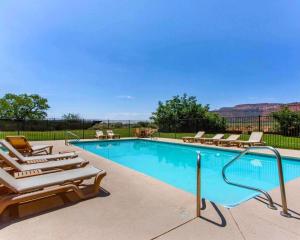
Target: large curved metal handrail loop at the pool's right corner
[{"x": 271, "y": 205}]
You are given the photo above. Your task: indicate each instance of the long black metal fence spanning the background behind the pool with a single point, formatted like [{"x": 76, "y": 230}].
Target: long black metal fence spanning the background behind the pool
[{"x": 55, "y": 129}]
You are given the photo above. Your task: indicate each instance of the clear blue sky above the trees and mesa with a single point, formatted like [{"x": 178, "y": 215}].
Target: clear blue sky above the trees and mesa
[{"x": 117, "y": 59}]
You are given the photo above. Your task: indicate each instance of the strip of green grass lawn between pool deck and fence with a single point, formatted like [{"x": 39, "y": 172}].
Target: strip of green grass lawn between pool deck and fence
[{"x": 270, "y": 139}]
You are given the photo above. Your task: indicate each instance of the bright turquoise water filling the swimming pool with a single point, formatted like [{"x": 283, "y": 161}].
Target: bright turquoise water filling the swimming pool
[{"x": 175, "y": 164}]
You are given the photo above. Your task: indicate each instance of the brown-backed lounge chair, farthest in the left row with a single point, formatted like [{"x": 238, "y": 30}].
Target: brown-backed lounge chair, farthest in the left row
[{"x": 23, "y": 146}]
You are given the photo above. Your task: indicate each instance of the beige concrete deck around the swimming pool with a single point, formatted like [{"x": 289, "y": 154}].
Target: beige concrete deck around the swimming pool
[{"x": 135, "y": 206}]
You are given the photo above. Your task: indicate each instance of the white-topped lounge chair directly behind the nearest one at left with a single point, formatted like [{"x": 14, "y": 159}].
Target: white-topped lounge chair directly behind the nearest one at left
[{"x": 29, "y": 169}]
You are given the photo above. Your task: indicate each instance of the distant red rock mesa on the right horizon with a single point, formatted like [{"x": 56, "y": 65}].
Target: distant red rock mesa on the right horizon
[{"x": 263, "y": 109}]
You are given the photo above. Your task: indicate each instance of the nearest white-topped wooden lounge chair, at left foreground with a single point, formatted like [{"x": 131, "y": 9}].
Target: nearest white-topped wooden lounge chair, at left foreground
[{"x": 36, "y": 187}]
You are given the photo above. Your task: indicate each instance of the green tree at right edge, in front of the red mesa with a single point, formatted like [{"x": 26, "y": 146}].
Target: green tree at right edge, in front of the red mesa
[{"x": 288, "y": 121}]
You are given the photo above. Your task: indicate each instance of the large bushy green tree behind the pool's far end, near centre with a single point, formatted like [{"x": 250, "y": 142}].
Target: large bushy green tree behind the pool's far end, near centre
[{"x": 186, "y": 114}]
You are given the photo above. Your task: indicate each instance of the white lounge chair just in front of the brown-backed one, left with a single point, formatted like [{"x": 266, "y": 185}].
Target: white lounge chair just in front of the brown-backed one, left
[{"x": 39, "y": 158}]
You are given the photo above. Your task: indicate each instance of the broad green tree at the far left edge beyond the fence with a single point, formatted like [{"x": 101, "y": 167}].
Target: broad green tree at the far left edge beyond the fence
[{"x": 23, "y": 107}]
